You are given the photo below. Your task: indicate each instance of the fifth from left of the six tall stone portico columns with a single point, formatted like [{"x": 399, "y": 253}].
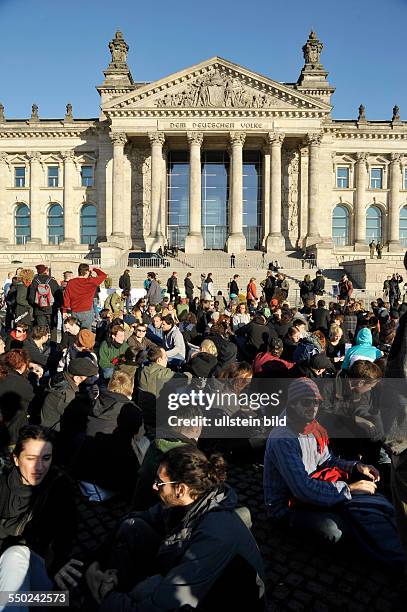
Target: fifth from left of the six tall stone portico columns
[{"x": 275, "y": 241}]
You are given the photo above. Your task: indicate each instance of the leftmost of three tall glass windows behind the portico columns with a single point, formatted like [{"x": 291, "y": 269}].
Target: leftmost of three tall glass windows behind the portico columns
[{"x": 178, "y": 197}]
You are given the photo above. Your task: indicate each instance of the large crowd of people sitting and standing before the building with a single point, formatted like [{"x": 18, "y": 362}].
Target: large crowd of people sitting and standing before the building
[{"x": 83, "y": 383}]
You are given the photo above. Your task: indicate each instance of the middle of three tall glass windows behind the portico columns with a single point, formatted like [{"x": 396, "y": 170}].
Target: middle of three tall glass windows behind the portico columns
[{"x": 215, "y": 198}]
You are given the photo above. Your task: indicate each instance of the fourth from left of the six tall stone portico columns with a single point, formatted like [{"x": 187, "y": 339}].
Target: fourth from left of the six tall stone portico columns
[{"x": 236, "y": 242}]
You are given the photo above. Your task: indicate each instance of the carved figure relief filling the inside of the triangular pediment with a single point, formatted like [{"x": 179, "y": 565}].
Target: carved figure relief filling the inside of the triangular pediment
[{"x": 218, "y": 89}]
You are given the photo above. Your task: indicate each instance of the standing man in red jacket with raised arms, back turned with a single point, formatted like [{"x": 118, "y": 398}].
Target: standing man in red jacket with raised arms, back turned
[{"x": 79, "y": 293}]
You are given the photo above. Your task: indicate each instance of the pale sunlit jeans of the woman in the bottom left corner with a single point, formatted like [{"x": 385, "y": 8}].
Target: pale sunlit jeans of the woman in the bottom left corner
[{"x": 21, "y": 569}]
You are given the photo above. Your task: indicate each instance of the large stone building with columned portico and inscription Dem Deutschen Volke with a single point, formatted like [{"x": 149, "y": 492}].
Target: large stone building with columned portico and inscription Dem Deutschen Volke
[{"x": 213, "y": 157}]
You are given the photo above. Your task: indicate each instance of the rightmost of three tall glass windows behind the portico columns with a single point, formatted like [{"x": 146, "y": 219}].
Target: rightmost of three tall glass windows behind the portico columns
[{"x": 252, "y": 199}]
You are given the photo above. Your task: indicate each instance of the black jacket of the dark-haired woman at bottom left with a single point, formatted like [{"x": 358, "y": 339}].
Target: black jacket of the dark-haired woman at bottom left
[{"x": 43, "y": 517}]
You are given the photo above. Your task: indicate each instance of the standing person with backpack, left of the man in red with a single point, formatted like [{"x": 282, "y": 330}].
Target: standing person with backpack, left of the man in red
[{"x": 45, "y": 314}]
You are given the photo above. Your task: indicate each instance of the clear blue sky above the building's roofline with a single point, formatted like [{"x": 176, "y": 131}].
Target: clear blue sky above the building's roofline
[{"x": 54, "y": 52}]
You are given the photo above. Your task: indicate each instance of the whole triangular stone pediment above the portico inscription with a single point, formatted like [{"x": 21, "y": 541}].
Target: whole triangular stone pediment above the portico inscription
[{"x": 215, "y": 84}]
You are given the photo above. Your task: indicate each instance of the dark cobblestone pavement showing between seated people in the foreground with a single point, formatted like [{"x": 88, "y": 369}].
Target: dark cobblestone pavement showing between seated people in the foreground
[{"x": 300, "y": 575}]
